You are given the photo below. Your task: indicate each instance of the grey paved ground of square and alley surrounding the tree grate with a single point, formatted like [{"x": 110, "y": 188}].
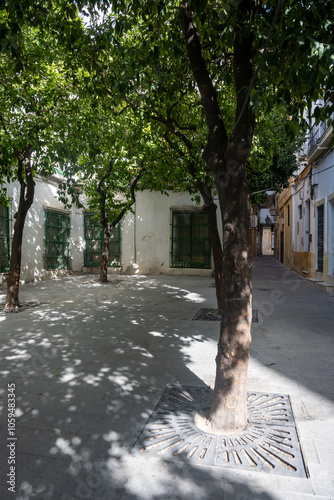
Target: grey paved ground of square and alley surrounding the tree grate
[{"x": 90, "y": 363}]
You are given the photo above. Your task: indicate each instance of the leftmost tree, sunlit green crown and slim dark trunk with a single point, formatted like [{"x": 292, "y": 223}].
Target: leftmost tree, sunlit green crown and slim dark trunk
[{"x": 35, "y": 102}]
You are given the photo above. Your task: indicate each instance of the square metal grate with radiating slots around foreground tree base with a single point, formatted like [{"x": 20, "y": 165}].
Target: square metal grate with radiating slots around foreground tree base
[{"x": 268, "y": 444}]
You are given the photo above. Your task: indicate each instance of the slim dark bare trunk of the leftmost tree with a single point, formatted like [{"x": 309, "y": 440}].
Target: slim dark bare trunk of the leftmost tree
[{"x": 27, "y": 189}]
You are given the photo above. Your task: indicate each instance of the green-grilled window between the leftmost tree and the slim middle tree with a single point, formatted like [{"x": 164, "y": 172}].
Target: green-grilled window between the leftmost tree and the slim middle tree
[{"x": 57, "y": 240}]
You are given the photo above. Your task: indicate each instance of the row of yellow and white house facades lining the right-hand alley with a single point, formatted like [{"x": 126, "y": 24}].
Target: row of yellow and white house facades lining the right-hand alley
[{"x": 304, "y": 228}]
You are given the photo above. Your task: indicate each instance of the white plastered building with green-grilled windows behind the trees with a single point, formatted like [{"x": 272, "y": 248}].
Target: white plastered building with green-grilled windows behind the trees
[{"x": 163, "y": 235}]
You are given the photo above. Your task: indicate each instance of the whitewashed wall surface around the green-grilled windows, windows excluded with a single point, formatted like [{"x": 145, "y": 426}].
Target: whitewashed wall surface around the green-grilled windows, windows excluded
[{"x": 145, "y": 235}]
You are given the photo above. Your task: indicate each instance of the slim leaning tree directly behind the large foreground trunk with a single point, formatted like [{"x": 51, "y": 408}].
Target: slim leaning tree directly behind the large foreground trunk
[{"x": 145, "y": 79}]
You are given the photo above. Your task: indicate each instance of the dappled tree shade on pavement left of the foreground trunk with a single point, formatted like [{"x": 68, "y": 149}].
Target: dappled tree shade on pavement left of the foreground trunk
[{"x": 89, "y": 365}]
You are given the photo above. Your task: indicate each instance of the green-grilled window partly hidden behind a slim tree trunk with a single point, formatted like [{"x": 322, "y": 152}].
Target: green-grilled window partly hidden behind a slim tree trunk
[{"x": 94, "y": 242}]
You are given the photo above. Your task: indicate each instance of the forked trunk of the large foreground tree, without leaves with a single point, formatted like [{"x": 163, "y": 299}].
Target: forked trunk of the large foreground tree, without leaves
[{"x": 226, "y": 157}]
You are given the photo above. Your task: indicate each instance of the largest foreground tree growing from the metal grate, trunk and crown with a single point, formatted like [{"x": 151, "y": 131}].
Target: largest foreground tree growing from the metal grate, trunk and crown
[{"x": 267, "y": 53}]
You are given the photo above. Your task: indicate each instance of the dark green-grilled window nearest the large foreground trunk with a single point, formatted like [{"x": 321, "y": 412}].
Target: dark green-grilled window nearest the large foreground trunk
[{"x": 190, "y": 242}]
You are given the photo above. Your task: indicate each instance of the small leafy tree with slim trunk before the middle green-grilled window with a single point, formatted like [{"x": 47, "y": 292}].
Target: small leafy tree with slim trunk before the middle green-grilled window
[{"x": 119, "y": 140}]
